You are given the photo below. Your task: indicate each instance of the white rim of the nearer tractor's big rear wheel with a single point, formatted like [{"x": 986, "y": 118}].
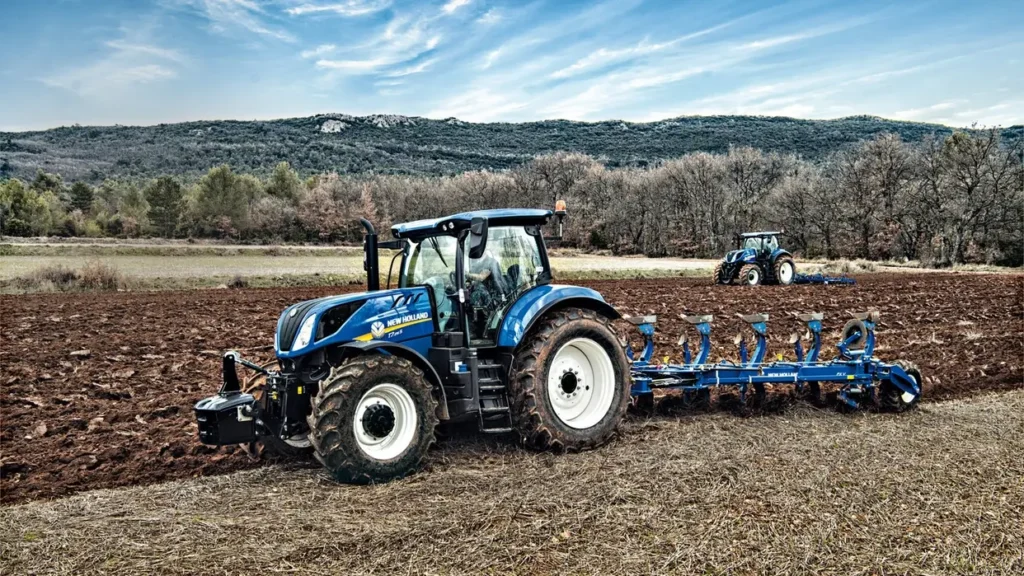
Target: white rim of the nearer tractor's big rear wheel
[{"x": 581, "y": 384}]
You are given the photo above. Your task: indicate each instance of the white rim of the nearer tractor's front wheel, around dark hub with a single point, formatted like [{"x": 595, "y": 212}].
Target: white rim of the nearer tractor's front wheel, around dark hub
[{"x": 402, "y": 434}]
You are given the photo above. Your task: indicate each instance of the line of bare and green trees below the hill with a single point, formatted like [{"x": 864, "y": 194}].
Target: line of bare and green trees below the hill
[{"x": 943, "y": 201}]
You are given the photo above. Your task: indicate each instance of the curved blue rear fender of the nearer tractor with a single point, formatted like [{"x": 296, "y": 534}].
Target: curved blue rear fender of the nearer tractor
[{"x": 540, "y": 301}]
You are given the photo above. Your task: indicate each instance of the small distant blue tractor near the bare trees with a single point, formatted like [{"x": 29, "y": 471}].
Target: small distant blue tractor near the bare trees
[{"x": 757, "y": 260}]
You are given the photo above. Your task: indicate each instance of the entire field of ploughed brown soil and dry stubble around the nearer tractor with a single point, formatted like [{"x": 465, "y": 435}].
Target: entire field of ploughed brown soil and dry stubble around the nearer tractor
[{"x": 98, "y": 390}]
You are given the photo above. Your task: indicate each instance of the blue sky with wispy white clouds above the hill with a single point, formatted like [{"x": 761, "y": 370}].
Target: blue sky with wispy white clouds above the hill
[{"x": 121, "y": 62}]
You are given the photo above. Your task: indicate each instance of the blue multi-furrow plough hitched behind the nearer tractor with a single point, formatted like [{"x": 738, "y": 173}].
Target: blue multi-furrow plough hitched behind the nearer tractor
[{"x": 861, "y": 379}]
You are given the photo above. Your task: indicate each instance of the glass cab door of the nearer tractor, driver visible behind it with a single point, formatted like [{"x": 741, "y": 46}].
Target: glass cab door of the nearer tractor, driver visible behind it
[{"x": 510, "y": 266}]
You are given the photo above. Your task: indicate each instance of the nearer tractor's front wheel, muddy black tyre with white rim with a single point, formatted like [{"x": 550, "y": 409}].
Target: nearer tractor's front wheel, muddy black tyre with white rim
[{"x": 374, "y": 420}]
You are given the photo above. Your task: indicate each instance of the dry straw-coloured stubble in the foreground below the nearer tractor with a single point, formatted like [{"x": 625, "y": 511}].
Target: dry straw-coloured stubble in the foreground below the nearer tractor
[{"x": 937, "y": 491}]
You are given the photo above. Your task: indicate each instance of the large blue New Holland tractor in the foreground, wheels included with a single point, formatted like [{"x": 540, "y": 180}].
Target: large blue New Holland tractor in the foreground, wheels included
[{"x": 476, "y": 331}]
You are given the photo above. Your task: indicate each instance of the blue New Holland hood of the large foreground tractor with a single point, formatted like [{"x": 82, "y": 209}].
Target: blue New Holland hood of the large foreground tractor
[{"x": 395, "y": 315}]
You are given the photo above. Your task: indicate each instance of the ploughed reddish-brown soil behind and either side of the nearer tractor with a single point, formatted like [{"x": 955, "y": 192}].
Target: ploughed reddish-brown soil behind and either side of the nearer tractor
[{"x": 97, "y": 390}]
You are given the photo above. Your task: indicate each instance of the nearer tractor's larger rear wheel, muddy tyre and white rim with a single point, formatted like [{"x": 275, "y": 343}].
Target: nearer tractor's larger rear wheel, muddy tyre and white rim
[{"x": 571, "y": 383}]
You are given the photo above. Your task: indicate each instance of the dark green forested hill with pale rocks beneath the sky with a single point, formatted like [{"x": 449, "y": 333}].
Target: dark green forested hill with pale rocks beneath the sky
[{"x": 392, "y": 144}]
